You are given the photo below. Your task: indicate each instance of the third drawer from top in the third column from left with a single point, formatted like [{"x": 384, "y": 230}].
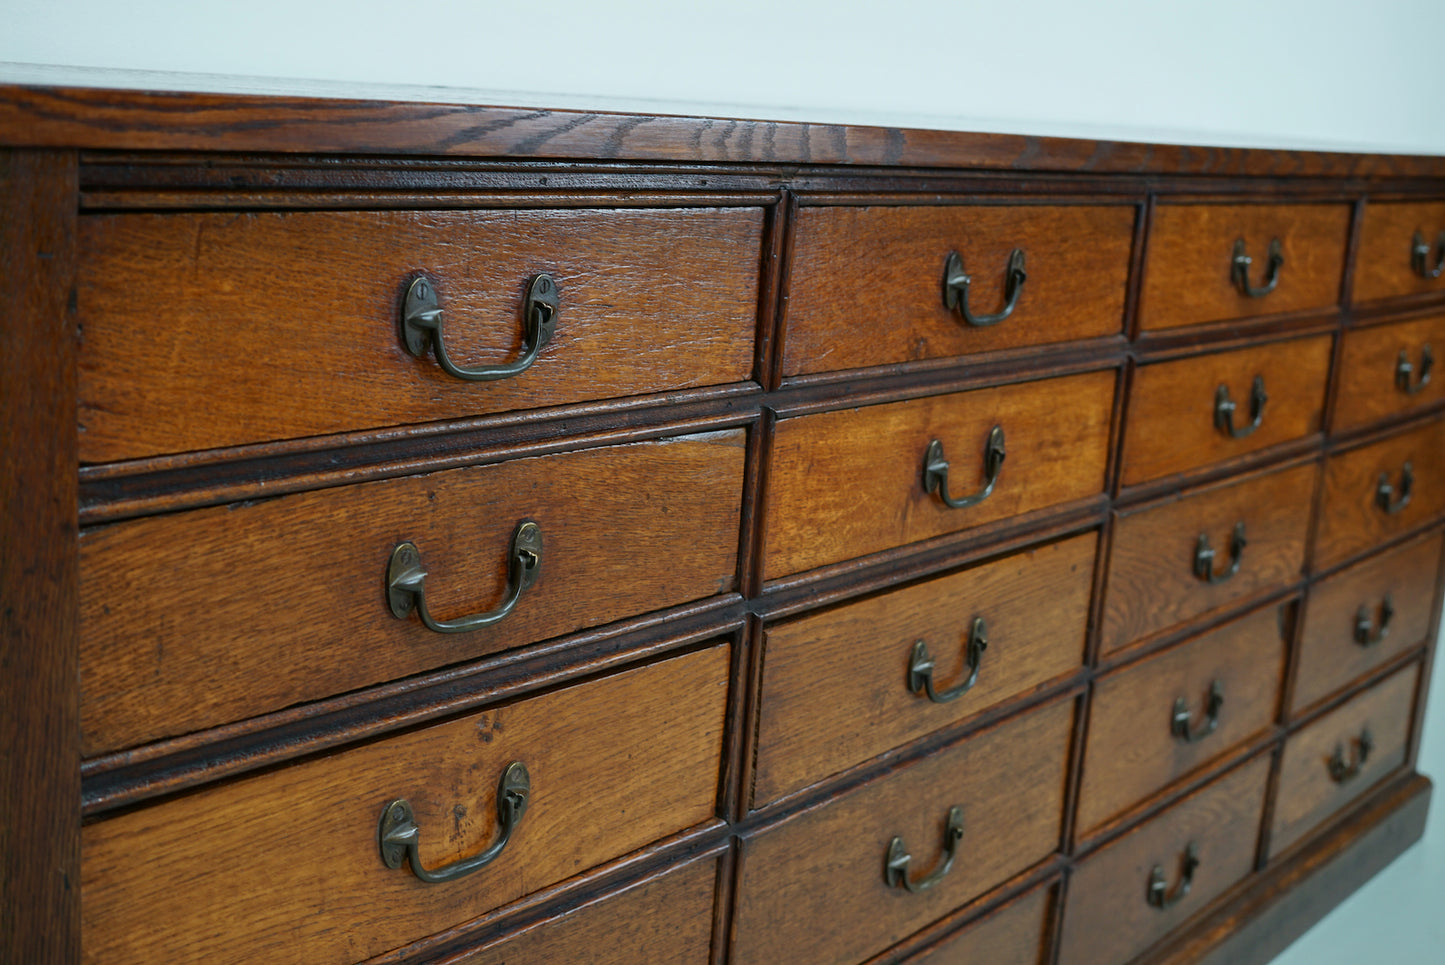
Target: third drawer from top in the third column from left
[{"x": 1165, "y": 555}]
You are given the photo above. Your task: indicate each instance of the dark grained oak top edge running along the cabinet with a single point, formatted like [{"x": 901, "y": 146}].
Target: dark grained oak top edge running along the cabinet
[{"x": 193, "y": 122}]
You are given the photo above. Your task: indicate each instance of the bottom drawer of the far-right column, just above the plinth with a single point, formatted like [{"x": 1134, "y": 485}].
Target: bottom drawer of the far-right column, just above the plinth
[{"x": 1326, "y": 765}]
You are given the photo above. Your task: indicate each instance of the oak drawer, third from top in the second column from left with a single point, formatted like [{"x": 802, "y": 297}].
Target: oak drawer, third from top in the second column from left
[{"x": 833, "y": 694}]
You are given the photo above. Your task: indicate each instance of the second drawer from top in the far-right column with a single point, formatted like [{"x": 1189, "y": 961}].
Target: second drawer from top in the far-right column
[{"x": 1389, "y": 371}]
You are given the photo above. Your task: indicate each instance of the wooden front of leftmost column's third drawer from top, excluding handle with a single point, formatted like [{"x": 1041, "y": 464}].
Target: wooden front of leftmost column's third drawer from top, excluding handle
[{"x": 290, "y": 863}]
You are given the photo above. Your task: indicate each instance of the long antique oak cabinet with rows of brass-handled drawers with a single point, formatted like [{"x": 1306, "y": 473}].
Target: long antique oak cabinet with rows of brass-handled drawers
[{"x": 446, "y": 534}]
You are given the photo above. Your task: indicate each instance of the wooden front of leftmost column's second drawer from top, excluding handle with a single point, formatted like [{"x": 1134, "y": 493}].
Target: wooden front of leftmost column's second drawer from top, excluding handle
[{"x": 304, "y": 613}]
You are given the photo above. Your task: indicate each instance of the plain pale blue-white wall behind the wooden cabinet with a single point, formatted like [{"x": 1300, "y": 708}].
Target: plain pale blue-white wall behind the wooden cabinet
[{"x": 1345, "y": 74}]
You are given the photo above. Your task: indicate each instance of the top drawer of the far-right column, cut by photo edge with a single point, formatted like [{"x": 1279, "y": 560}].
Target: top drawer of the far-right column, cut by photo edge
[{"x": 1388, "y": 264}]
